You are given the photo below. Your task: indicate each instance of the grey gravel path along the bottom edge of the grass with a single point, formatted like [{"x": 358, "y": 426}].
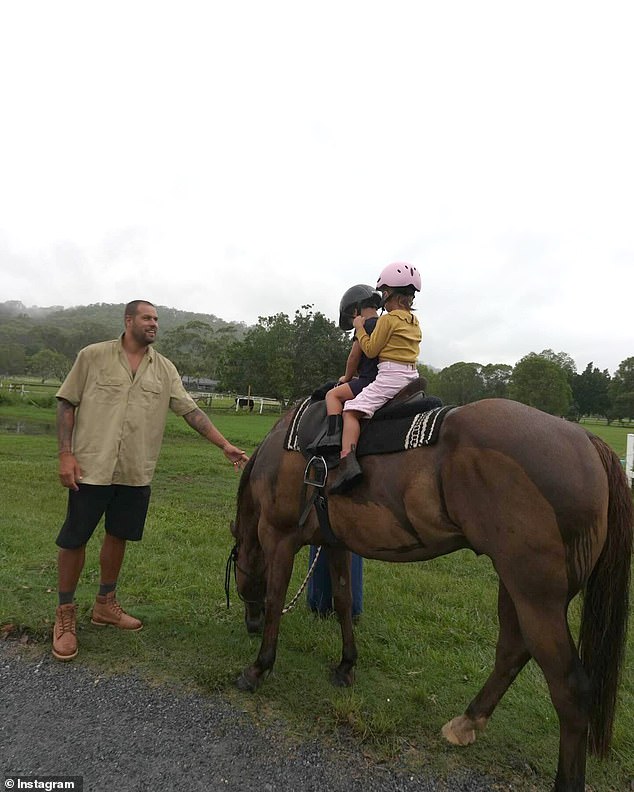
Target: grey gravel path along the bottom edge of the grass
[{"x": 122, "y": 735}]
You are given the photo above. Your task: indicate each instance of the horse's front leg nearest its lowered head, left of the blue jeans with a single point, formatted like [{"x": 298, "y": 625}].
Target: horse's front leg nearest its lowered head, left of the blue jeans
[{"x": 279, "y": 563}]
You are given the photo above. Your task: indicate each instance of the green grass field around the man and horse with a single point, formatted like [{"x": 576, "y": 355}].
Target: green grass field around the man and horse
[{"x": 426, "y": 638}]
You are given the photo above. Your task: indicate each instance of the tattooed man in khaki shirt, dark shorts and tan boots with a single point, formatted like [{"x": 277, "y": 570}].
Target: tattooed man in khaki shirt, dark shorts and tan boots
[{"x": 111, "y": 416}]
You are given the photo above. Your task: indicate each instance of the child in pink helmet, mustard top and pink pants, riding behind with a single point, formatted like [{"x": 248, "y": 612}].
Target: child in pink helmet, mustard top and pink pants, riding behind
[{"x": 396, "y": 342}]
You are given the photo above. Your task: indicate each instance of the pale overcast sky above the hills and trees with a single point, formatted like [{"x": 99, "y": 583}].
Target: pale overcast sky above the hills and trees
[{"x": 246, "y": 158}]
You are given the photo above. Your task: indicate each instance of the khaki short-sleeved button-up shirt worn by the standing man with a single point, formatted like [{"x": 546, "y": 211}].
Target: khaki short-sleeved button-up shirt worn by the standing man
[{"x": 120, "y": 417}]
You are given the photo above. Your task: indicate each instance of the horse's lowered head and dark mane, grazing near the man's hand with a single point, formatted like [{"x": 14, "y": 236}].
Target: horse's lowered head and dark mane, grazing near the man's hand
[{"x": 246, "y": 557}]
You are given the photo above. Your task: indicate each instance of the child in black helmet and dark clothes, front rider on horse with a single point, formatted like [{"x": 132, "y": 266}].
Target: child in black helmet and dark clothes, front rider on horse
[{"x": 359, "y": 300}]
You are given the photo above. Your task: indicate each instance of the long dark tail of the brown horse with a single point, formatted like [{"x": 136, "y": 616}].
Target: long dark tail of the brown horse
[{"x": 603, "y": 630}]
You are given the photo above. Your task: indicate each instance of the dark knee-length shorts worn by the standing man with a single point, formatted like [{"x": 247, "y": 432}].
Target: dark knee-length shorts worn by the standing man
[{"x": 125, "y": 509}]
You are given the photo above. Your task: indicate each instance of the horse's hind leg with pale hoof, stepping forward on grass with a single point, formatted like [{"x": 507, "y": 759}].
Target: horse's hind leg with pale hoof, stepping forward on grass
[{"x": 511, "y": 655}]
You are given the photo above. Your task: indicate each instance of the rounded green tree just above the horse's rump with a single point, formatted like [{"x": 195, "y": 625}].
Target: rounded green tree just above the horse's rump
[{"x": 542, "y": 383}]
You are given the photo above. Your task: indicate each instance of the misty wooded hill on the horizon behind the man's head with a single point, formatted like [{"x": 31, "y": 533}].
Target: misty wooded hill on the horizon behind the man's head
[{"x": 110, "y": 316}]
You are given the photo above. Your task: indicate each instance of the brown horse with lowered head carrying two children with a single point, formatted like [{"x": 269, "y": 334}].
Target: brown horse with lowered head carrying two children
[{"x": 545, "y": 500}]
